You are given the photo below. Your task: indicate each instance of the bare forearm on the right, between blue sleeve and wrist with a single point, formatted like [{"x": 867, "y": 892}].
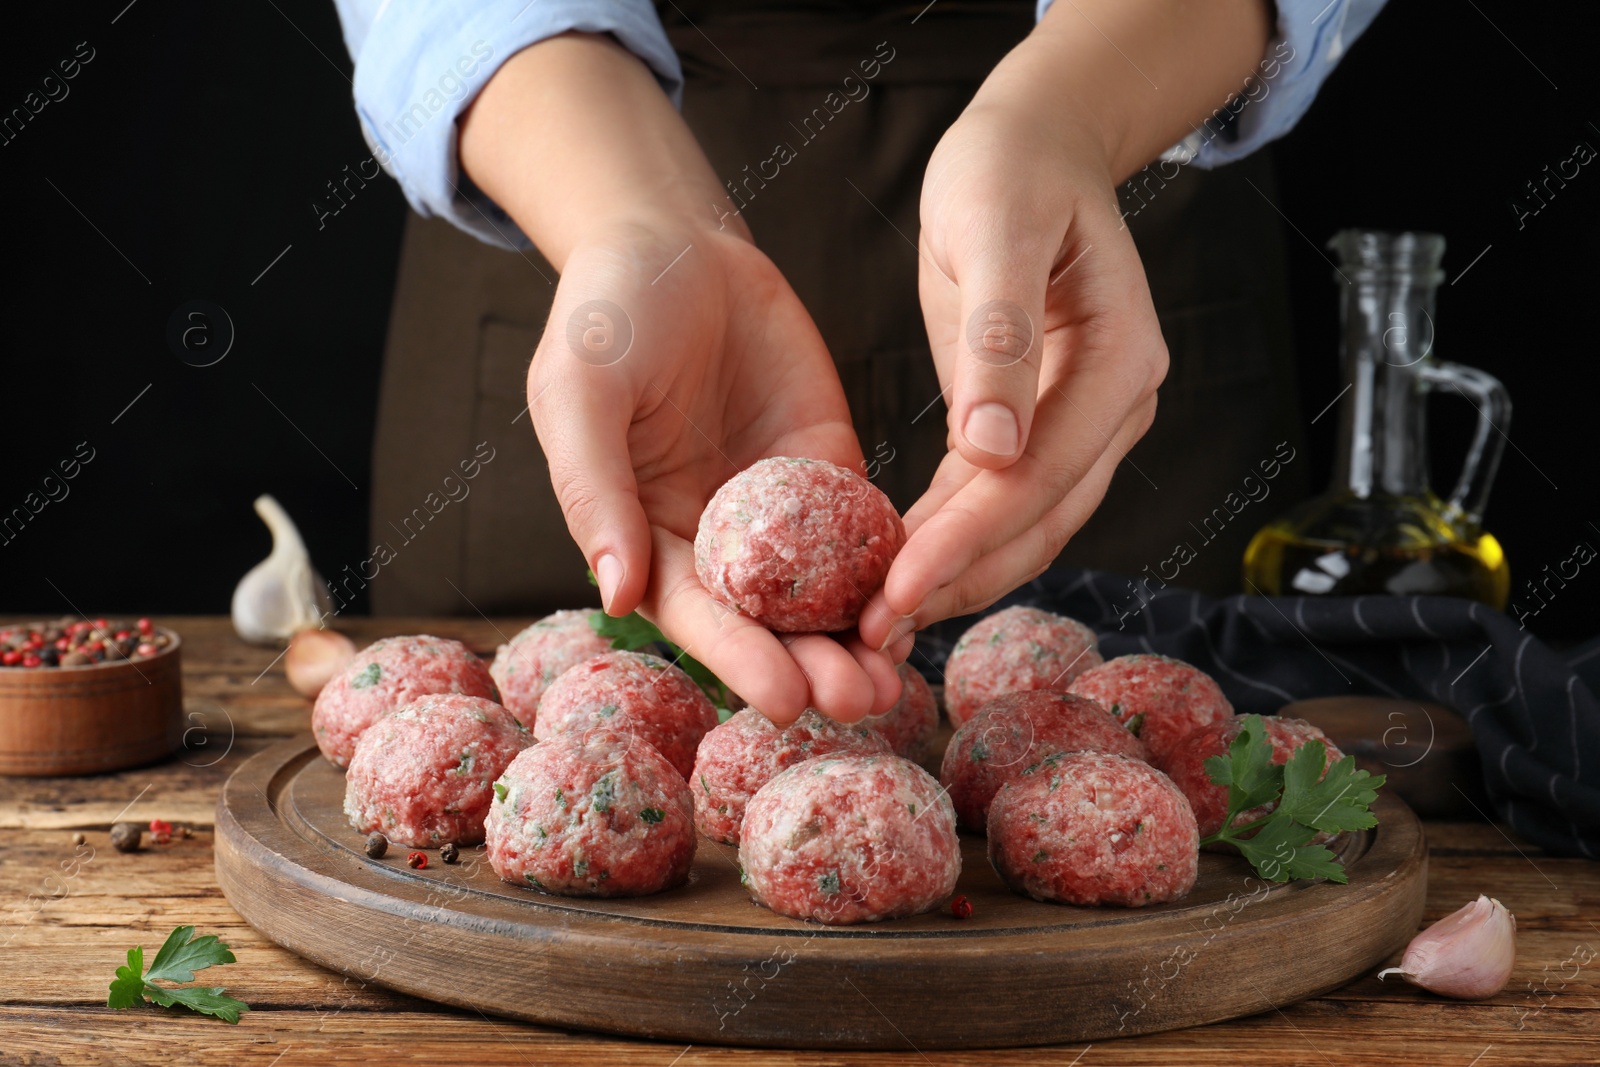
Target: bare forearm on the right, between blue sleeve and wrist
[{"x": 1140, "y": 74}]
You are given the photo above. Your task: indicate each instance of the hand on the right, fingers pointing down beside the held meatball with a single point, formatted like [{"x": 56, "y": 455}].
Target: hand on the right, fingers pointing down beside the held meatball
[{"x": 1047, "y": 343}]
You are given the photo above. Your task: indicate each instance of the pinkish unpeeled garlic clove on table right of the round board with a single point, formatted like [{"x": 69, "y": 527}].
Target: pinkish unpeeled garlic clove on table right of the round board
[{"x": 1470, "y": 954}]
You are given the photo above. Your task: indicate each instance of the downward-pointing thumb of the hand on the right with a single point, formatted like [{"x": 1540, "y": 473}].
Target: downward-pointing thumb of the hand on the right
[{"x": 999, "y": 353}]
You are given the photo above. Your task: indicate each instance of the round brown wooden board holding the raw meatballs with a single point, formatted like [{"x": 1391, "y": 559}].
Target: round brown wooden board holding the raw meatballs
[{"x": 703, "y": 964}]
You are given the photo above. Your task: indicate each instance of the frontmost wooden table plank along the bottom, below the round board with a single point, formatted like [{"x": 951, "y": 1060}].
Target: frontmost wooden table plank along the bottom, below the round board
[{"x": 297, "y": 1039}]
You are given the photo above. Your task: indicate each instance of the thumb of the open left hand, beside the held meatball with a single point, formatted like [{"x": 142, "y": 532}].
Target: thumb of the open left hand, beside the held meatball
[{"x": 582, "y": 414}]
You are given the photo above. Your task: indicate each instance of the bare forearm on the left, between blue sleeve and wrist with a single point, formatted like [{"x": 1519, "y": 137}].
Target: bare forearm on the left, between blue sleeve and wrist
[{"x": 575, "y": 135}]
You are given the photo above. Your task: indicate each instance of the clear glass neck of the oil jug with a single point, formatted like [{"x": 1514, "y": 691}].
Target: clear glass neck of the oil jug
[{"x": 1388, "y": 321}]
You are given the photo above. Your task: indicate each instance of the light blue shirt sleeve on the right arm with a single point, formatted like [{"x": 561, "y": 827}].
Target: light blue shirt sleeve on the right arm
[{"x": 1311, "y": 39}]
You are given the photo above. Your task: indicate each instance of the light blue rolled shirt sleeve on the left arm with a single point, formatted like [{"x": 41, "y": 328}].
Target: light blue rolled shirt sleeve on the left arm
[{"x": 422, "y": 63}]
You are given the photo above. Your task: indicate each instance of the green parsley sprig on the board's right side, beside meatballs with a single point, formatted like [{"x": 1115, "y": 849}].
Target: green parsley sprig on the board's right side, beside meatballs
[{"x": 1308, "y": 804}]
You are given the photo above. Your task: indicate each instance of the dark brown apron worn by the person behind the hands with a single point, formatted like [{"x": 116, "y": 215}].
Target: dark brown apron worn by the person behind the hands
[{"x": 841, "y": 223}]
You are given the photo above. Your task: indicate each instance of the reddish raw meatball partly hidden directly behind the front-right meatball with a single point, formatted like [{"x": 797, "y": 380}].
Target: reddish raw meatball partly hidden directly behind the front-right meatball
[{"x": 1014, "y": 733}]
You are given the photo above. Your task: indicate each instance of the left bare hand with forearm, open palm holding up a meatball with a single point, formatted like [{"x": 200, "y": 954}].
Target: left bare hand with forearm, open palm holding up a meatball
[{"x": 676, "y": 356}]
